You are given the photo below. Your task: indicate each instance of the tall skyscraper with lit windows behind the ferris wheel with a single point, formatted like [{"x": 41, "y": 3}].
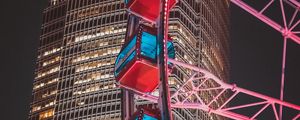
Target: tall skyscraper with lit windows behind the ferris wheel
[{"x": 79, "y": 43}]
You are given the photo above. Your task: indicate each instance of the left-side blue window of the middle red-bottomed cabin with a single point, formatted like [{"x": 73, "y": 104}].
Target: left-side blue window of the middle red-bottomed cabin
[{"x": 127, "y": 53}]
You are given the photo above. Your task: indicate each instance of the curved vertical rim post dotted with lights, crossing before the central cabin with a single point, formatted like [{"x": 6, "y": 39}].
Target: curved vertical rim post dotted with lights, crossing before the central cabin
[{"x": 162, "y": 36}]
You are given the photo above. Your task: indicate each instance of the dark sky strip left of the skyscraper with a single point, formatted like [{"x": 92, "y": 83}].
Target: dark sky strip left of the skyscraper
[{"x": 20, "y": 29}]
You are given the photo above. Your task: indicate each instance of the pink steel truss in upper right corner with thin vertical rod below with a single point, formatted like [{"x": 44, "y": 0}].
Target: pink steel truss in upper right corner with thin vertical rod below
[{"x": 288, "y": 26}]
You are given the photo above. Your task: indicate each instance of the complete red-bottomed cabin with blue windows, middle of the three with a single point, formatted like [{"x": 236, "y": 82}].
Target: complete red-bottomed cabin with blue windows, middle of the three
[{"x": 136, "y": 64}]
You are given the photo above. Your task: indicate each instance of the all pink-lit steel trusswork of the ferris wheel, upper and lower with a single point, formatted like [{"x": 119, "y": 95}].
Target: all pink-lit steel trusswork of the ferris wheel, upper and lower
[{"x": 195, "y": 92}]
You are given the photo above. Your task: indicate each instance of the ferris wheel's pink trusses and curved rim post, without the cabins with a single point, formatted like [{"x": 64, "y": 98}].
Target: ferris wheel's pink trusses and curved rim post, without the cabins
[{"x": 191, "y": 94}]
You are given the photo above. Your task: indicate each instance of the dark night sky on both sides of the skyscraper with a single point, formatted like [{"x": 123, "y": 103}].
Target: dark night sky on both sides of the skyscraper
[{"x": 256, "y": 51}]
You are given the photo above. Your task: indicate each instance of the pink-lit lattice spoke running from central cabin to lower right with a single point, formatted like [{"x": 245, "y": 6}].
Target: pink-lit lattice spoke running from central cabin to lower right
[{"x": 195, "y": 85}]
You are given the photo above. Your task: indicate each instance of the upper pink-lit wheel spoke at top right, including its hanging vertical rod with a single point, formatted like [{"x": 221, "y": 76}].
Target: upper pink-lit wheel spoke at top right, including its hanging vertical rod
[{"x": 287, "y": 29}]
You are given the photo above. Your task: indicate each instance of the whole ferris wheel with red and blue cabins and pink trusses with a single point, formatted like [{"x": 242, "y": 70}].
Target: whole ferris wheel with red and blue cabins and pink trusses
[{"x": 148, "y": 56}]
